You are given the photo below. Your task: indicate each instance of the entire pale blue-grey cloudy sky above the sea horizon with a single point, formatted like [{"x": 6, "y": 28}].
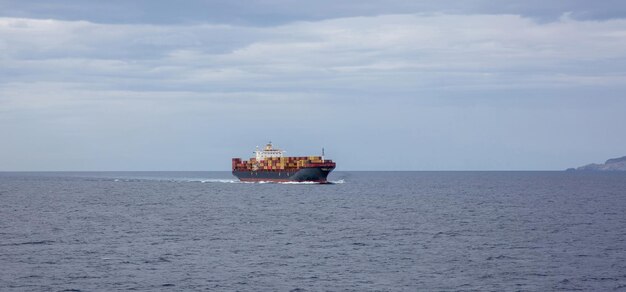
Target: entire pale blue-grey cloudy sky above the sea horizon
[{"x": 381, "y": 85}]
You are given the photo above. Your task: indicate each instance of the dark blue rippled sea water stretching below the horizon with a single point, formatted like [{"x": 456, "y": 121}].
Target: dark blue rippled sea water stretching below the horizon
[{"x": 371, "y": 231}]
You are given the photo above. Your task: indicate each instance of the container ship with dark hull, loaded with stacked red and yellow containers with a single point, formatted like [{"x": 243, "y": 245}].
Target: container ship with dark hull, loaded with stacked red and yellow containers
[{"x": 271, "y": 165}]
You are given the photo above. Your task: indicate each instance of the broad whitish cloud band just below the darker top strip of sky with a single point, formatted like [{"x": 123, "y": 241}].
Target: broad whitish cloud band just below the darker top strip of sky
[{"x": 405, "y": 52}]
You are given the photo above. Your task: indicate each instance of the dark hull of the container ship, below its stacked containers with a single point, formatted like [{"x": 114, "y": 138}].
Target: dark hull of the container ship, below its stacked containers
[{"x": 308, "y": 174}]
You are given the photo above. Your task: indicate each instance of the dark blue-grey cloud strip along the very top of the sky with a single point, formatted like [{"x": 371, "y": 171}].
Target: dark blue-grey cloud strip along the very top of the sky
[{"x": 272, "y": 12}]
